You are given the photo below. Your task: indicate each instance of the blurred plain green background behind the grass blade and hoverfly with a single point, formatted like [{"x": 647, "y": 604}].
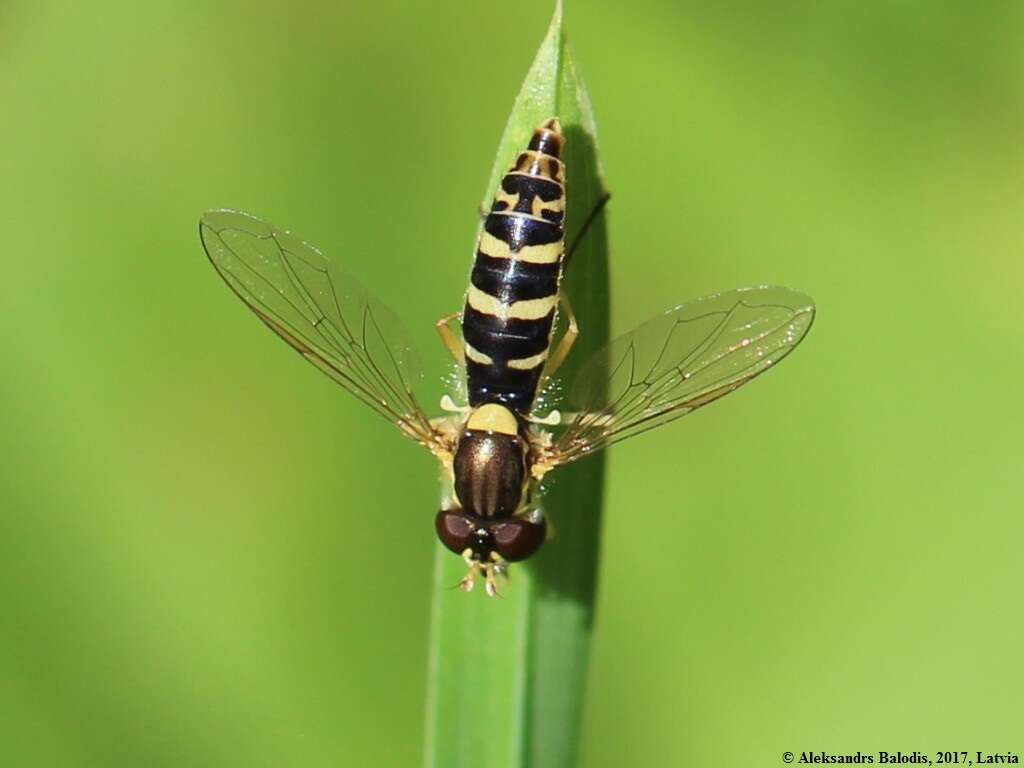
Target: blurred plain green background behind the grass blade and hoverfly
[{"x": 212, "y": 557}]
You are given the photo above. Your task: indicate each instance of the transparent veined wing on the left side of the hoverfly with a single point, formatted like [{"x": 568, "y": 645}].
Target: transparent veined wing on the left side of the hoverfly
[{"x": 322, "y": 312}]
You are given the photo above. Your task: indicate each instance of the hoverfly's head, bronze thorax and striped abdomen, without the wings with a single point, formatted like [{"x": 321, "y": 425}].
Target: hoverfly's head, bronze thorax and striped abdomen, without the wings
[{"x": 507, "y": 326}]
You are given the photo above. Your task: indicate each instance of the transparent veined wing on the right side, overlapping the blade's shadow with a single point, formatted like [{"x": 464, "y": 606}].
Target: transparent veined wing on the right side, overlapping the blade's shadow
[{"x": 678, "y": 362}]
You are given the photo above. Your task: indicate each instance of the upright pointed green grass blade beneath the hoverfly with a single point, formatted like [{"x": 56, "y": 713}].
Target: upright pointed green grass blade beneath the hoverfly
[{"x": 506, "y": 678}]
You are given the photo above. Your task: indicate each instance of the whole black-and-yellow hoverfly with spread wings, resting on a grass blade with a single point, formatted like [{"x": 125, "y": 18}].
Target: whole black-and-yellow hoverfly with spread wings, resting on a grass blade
[{"x": 496, "y": 449}]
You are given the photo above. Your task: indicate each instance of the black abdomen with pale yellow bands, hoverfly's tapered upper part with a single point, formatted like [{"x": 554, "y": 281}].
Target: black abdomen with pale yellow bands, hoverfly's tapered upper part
[{"x": 514, "y": 291}]
